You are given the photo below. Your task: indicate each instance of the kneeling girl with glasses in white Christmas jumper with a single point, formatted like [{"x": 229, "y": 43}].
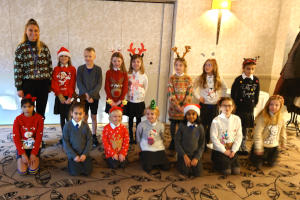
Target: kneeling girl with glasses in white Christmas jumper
[{"x": 226, "y": 136}]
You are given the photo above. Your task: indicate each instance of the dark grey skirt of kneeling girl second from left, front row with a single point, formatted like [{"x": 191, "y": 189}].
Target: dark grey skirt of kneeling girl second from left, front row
[{"x": 80, "y": 168}]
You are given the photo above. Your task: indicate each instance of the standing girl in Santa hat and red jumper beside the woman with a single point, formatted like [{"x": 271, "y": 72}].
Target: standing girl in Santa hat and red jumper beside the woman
[{"x": 63, "y": 85}]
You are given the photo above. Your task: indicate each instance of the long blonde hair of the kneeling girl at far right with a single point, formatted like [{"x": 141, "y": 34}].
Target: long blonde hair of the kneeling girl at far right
[{"x": 268, "y": 119}]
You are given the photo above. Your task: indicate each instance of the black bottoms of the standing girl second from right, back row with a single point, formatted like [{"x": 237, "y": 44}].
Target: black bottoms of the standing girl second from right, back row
[{"x": 208, "y": 113}]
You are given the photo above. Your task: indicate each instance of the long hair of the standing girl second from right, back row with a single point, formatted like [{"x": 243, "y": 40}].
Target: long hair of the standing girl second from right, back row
[{"x": 217, "y": 79}]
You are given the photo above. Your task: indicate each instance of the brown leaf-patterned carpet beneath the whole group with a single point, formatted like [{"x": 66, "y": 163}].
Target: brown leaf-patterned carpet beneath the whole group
[{"x": 54, "y": 182}]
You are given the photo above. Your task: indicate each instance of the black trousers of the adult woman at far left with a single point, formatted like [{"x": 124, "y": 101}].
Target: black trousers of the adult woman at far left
[{"x": 40, "y": 90}]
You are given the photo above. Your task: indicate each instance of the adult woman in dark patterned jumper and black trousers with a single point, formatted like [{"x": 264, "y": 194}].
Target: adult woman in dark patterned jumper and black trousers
[{"x": 33, "y": 67}]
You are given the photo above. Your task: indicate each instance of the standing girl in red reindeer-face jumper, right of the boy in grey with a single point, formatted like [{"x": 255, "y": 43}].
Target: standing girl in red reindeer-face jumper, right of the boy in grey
[{"x": 116, "y": 81}]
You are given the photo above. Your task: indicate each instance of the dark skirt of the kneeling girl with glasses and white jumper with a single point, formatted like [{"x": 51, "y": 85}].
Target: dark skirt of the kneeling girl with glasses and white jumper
[{"x": 222, "y": 162}]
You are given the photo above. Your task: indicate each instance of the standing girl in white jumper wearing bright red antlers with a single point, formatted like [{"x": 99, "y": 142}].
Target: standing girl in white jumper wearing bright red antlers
[{"x": 137, "y": 87}]
